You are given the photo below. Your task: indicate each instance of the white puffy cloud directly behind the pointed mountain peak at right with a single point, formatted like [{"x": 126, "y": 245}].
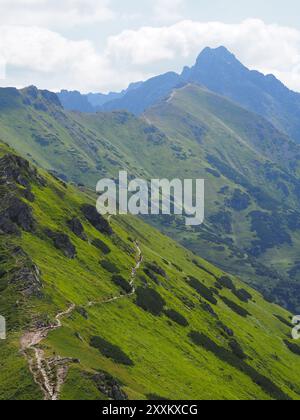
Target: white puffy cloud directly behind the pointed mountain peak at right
[{"x": 269, "y": 48}]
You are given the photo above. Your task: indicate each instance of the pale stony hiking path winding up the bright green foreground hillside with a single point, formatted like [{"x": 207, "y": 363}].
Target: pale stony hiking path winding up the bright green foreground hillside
[{"x": 50, "y": 374}]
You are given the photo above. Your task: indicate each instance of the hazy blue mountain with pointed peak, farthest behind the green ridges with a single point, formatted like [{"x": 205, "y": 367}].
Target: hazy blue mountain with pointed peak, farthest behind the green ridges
[{"x": 220, "y": 71}]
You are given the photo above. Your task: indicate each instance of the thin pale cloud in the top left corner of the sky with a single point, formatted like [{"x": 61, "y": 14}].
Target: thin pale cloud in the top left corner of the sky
[{"x": 54, "y": 13}]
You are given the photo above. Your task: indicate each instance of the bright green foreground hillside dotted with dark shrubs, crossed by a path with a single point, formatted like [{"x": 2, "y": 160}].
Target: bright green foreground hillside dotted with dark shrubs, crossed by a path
[{"x": 116, "y": 310}]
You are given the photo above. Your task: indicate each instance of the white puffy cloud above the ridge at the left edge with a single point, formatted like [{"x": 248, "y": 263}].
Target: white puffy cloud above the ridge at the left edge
[{"x": 47, "y": 59}]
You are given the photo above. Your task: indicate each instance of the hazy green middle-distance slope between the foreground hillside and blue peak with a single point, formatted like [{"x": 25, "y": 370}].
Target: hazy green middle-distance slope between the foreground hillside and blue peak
[{"x": 251, "y": 171}]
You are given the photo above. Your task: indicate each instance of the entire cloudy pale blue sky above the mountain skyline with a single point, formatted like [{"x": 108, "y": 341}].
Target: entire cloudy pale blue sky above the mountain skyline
[{"x": 103, "y": 45}]
